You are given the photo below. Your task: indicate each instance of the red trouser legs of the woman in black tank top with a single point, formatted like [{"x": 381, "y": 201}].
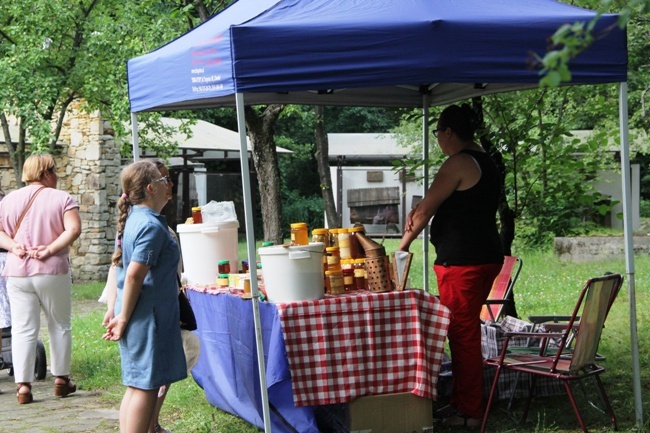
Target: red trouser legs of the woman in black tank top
[{"x": 463, "y": 290}]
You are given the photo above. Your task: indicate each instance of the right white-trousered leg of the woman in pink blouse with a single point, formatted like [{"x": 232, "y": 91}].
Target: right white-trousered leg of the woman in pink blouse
[{"x": 55, "y": 293}]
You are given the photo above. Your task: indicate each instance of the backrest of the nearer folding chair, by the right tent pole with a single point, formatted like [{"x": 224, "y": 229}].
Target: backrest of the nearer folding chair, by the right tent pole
[{"x": 594, "y": 303}]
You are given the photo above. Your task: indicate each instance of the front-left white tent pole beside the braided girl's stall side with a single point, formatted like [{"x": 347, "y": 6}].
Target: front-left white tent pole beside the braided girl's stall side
[{"x": 250, "y": 247}]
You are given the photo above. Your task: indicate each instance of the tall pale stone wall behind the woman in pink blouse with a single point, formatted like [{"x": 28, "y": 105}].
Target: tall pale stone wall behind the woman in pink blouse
[{"x": 88, "y": 168}]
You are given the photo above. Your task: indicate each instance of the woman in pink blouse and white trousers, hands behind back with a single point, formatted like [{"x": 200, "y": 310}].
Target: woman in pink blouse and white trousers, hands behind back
[{"x": 38, "y": 223}]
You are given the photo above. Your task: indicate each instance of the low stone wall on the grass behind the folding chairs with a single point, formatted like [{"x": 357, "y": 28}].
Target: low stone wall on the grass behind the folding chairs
[{"x": 597, "y": 248}]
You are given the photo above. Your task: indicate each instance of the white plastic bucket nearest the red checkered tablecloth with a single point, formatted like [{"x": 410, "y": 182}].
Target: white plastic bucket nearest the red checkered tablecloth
[{"x": 293, "y": 273}]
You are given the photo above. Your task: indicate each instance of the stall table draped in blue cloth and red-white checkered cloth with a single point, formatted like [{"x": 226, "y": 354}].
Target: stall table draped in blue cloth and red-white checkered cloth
[{"x": 317, "y": 353}]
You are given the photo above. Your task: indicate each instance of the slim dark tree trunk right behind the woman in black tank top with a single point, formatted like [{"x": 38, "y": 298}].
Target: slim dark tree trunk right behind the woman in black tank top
[{"x": 506, "y": 214}]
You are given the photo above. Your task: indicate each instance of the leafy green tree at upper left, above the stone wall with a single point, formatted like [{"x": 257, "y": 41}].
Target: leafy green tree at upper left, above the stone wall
[{"x": 53, "y": 53}]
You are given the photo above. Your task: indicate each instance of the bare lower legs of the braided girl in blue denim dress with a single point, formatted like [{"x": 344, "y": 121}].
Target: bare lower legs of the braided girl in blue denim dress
[{"x": 136, "y": 410}]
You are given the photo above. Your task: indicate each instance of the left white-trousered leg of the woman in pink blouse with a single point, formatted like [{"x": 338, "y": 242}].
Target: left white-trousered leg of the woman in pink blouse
[{"x": 26, "y": 321}]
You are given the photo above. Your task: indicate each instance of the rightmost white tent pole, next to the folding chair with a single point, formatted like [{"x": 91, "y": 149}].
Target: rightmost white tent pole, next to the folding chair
[{"x": 629, "y": 248}]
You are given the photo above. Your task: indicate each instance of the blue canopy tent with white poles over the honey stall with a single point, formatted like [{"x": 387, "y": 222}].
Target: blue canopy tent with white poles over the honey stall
[{"x": 407, "y": 53}]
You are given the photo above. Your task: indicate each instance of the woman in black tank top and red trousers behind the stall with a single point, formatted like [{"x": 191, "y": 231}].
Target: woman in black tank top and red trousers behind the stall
[{"x": 461, "y": 204}]
